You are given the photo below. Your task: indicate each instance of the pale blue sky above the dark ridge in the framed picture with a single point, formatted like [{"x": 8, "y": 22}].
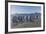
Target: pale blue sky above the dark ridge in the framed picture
[{"x": 17, "y": 9}]
